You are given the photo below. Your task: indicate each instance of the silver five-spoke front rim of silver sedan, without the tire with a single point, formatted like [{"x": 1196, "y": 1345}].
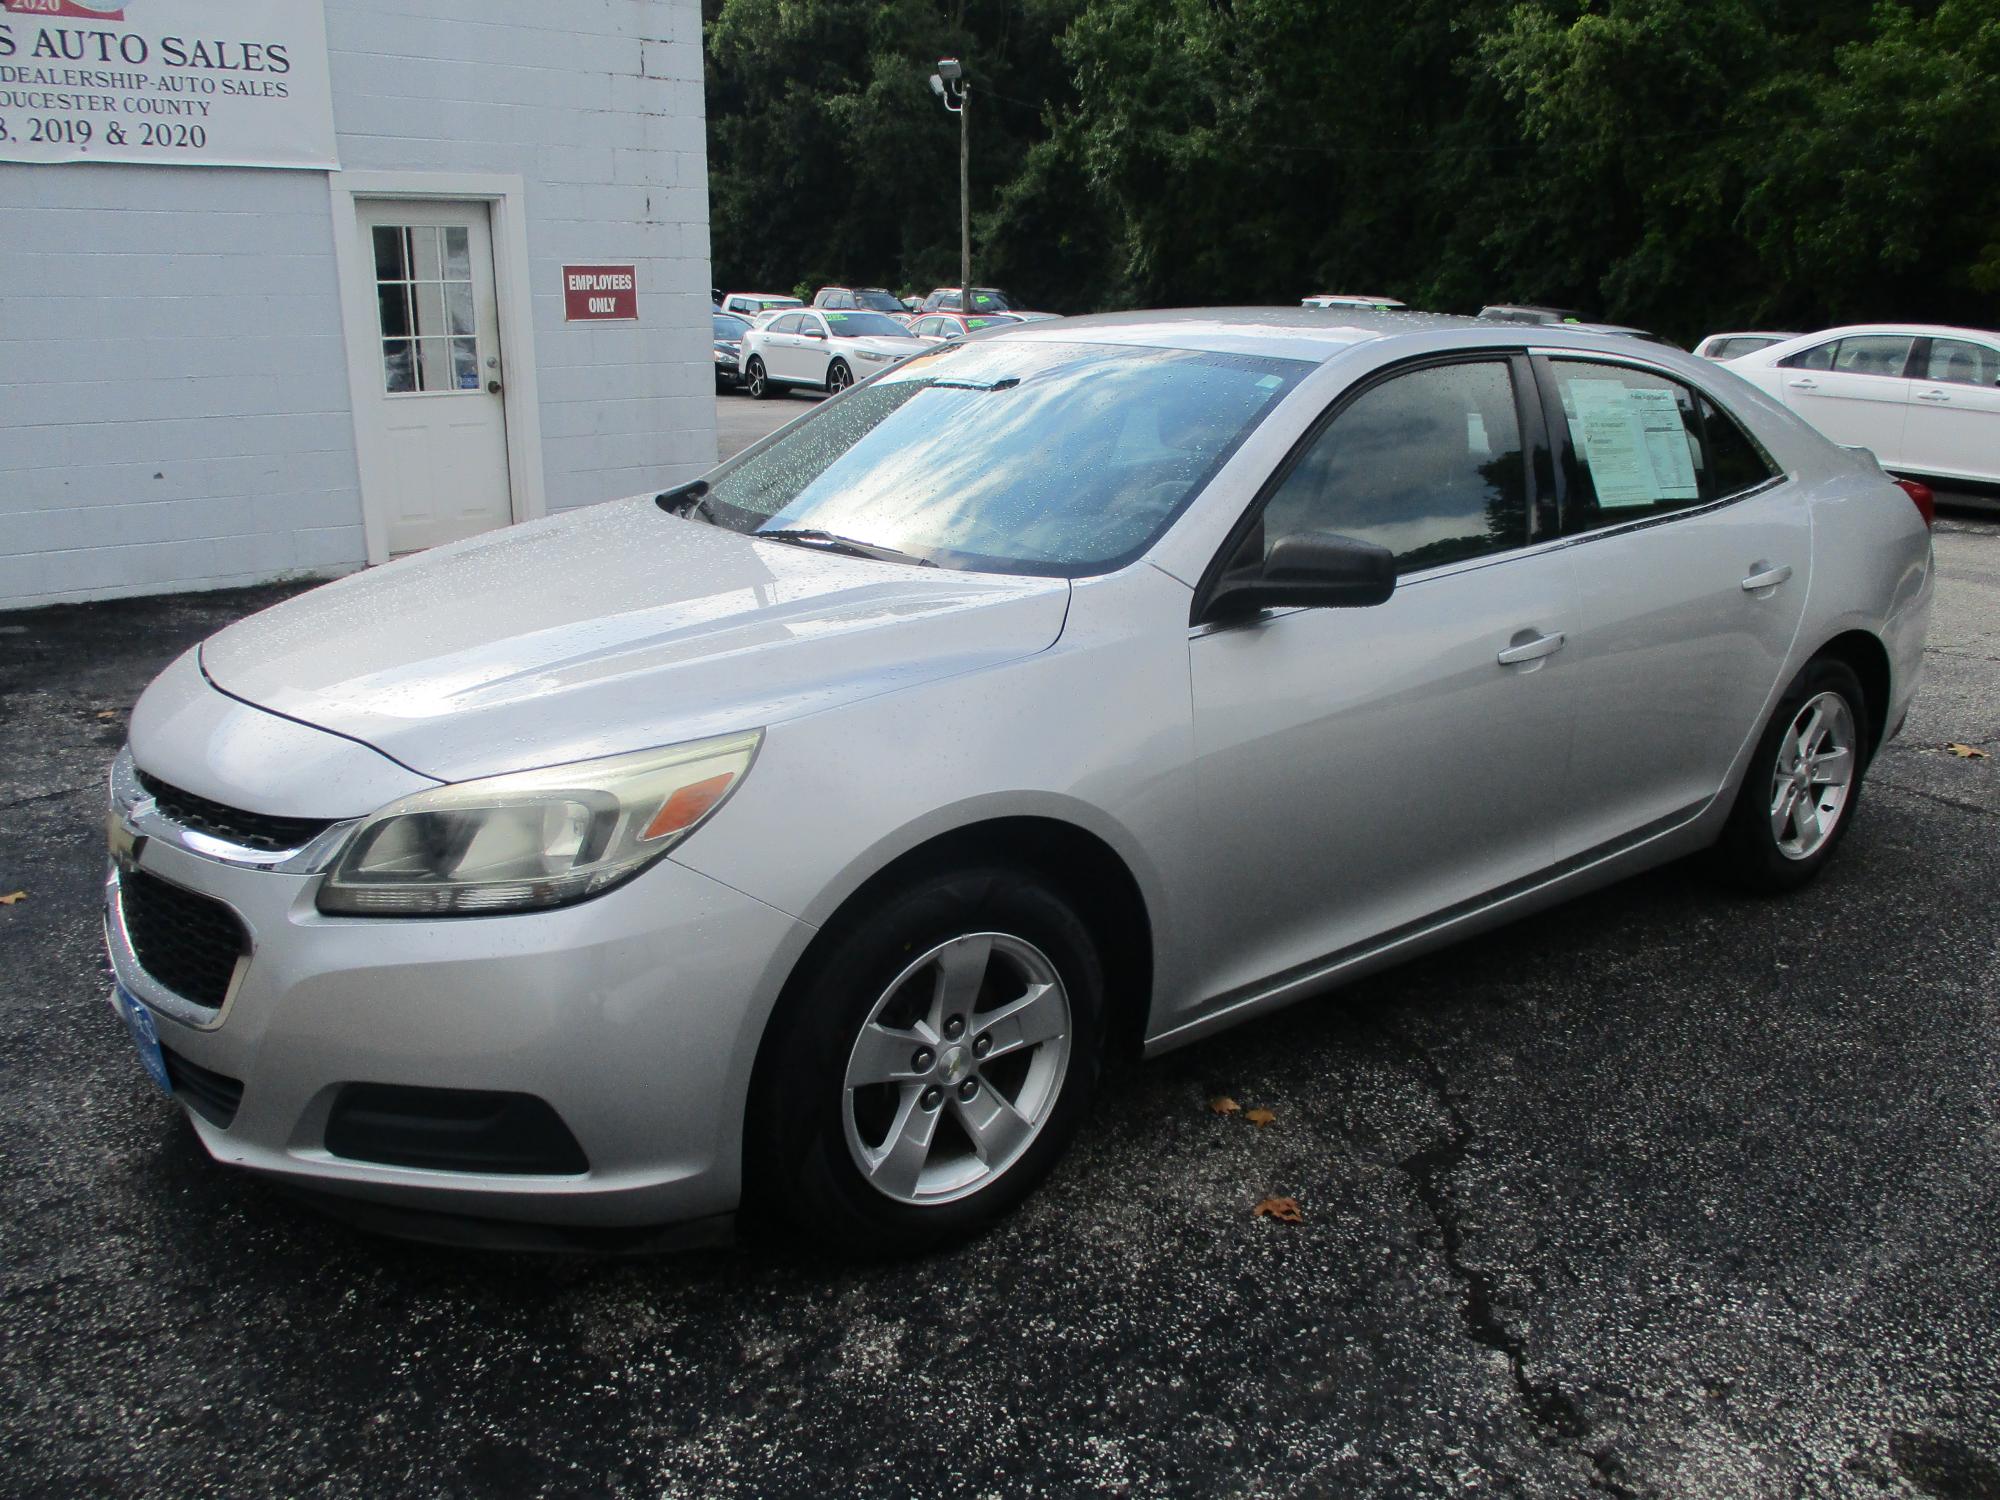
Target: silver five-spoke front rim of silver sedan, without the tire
[{"x": 957, "y": 1069}]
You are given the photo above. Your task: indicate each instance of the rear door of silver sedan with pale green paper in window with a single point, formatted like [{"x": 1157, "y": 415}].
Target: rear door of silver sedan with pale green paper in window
[{"x": 1693, "y": 555}]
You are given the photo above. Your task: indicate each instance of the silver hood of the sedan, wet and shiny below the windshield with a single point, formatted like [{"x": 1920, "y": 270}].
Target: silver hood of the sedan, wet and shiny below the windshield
[{"x": 613, "y": 629}]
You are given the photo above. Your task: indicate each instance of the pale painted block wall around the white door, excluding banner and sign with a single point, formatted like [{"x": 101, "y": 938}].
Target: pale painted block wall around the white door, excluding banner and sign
[{"x": 173, "y": 373}]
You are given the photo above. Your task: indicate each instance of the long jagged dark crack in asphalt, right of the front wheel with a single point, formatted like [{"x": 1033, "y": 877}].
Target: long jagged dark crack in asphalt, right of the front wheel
[{"x": 1557, "y": 1419}]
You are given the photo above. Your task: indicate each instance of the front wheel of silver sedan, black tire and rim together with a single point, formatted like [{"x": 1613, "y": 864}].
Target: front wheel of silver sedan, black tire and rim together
[{"x": 863, "y": 1065}]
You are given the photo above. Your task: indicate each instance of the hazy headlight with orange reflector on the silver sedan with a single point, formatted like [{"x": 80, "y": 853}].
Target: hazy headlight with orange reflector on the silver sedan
[{"x": 533, "y": 839}]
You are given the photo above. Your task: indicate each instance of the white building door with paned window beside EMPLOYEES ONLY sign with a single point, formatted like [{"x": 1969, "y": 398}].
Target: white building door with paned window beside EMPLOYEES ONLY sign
[{"x": 437, "y": 373}]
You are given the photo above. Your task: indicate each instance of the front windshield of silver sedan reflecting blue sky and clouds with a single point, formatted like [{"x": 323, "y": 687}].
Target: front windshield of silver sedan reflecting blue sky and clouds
[{"x": 1007, "y": 457}]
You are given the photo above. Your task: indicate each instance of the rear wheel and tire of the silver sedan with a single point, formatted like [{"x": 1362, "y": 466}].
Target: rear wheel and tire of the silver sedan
[{"x": 1771, "y": 843}]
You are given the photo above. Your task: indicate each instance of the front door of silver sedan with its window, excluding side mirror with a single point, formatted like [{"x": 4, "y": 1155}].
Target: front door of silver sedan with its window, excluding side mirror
[{"x": 1361, "y": 769}]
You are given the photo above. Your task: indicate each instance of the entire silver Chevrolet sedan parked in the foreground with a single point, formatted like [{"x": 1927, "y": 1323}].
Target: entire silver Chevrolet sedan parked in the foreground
[{"x": 801, "y": 843}]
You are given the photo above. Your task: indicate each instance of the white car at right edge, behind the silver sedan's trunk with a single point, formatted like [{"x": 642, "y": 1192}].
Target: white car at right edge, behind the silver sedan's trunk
[{"x": 1923, "y": 399}]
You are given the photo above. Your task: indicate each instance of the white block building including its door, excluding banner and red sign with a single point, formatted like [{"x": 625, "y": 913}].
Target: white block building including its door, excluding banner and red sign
[{"x": 225, "y": 375}]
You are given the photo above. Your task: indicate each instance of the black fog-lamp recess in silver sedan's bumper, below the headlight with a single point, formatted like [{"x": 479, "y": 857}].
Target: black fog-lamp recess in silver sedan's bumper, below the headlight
[{"x": 453, "y": 1131}]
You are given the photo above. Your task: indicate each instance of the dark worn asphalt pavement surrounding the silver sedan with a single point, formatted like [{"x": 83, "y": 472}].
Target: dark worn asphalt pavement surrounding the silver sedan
[{"x": 1663, "y": 1193}]
